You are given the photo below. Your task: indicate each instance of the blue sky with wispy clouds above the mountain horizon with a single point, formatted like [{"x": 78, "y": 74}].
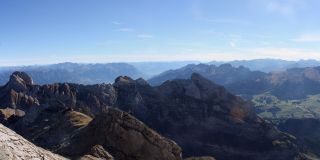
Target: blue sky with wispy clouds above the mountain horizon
[{"x": 51, "y": 31}]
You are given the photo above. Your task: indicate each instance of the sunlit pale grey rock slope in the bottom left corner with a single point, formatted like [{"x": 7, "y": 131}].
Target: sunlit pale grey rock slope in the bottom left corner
[{"x": 13, "y": 146}]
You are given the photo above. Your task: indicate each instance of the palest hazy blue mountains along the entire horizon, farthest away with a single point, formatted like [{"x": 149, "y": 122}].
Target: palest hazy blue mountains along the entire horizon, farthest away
[{"x": 105, "y": 73}]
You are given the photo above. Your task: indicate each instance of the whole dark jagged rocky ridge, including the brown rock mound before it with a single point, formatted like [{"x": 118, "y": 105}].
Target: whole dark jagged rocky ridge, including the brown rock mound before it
[{"x": 202, "y": 117}]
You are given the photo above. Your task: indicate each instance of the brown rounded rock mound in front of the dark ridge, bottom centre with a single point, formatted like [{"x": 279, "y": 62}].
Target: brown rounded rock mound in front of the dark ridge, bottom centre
[{"x": 124, "y": 137}]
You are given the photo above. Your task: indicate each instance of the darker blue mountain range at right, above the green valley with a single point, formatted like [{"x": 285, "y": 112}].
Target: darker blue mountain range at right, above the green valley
[{"x": 295, "y": 83}]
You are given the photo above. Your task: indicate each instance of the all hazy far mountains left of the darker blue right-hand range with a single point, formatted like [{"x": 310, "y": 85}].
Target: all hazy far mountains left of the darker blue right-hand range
[{"x": 90, "y": 73}]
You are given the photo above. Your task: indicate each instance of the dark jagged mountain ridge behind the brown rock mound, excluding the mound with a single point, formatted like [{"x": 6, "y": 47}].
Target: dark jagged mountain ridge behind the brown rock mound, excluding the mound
[{"x": 211, "y": 121}]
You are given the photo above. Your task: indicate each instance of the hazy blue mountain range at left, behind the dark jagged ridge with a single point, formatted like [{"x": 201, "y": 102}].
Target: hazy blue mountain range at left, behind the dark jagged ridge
[{"x": 73, "y": 73}]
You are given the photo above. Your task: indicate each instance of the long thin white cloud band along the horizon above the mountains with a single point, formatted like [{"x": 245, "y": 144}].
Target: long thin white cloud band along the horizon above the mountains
[{"x": 258, "y": 53}]
